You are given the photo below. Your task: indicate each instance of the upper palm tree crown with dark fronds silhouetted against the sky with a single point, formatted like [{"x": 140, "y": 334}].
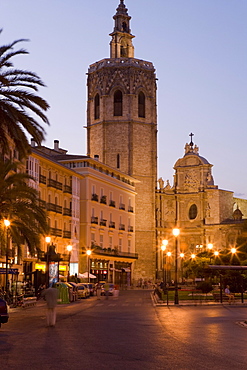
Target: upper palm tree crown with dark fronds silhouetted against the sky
[{"x": 19, "y": 105}]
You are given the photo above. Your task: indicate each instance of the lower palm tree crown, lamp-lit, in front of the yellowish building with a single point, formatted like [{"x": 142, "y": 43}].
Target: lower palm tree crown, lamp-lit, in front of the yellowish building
[{"x": 19, "y": 203}]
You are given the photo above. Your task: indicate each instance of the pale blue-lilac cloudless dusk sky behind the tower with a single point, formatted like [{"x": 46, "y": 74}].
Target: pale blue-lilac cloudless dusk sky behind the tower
[{"x": 199, "y": 50}]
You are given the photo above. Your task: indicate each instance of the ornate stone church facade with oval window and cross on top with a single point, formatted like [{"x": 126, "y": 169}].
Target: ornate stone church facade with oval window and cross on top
[{"x": 205, "y": 215}]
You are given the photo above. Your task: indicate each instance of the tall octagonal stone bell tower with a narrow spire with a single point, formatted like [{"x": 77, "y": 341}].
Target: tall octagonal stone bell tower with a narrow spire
[{"x": 122, "y": 129}]
